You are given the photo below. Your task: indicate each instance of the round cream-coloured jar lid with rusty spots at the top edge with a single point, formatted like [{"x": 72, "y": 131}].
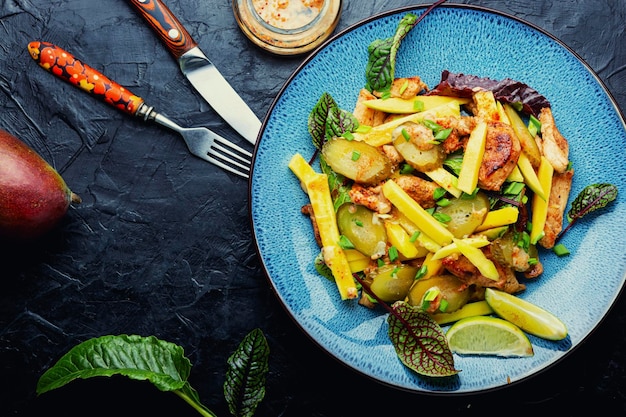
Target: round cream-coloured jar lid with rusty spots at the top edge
[{"x": 287, "y": 27}]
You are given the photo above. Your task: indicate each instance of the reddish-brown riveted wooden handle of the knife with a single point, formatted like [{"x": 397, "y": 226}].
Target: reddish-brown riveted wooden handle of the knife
[{"x": 166, "y": 25}]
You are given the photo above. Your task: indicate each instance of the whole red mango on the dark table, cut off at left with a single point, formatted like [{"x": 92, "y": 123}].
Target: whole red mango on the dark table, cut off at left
[{"x": 33, "y": 196}]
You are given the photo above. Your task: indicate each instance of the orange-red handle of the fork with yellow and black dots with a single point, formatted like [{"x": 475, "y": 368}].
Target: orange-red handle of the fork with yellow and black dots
[{"x": 65, "y": 66}]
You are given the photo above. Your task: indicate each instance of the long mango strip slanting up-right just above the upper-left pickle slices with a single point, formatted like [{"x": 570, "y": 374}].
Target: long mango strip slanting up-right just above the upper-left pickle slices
[{"x": 381, "y": 134}]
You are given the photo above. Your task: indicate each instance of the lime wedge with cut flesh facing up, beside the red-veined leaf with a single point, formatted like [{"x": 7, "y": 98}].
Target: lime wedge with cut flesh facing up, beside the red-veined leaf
[{"x": 485, "y": 335}]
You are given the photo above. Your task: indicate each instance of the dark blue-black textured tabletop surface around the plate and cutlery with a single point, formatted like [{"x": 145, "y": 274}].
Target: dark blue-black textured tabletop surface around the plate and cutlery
[{"x": 161, "y": 244}]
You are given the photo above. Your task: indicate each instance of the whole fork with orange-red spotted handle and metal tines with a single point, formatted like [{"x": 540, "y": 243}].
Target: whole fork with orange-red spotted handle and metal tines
[{"x": 201, "y": 141}]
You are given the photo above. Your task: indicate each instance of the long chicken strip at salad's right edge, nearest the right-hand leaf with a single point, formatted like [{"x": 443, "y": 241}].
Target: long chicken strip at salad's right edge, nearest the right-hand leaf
[{"x": 557, "y": 203}]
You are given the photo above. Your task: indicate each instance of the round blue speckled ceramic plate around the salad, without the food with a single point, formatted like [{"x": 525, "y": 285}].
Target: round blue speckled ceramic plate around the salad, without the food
[{"x": 580, "y": 289}]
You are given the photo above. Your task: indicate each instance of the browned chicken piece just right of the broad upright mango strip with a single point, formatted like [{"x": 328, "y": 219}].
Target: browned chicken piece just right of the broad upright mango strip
[{"x": 502, "y": 150}]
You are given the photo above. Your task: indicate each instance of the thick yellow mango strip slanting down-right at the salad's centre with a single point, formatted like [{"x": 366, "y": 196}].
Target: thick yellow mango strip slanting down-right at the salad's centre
[{"x": 416, "y": 213}]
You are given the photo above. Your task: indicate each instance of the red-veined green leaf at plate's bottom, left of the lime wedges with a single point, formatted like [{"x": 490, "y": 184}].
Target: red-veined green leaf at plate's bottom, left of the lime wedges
[{"x": 420, "y": 342}]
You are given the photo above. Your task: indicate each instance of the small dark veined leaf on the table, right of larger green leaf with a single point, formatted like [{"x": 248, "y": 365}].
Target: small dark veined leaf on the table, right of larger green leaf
[{"x": 244, "y": 387}]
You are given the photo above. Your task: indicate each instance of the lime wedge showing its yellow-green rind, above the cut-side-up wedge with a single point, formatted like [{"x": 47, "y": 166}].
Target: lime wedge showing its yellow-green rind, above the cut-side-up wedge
[{"x": 527, "y": 316}]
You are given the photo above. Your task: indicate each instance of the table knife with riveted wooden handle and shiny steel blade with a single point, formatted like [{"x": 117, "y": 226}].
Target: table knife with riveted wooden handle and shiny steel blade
[{"x": 200, "y": 72}]
